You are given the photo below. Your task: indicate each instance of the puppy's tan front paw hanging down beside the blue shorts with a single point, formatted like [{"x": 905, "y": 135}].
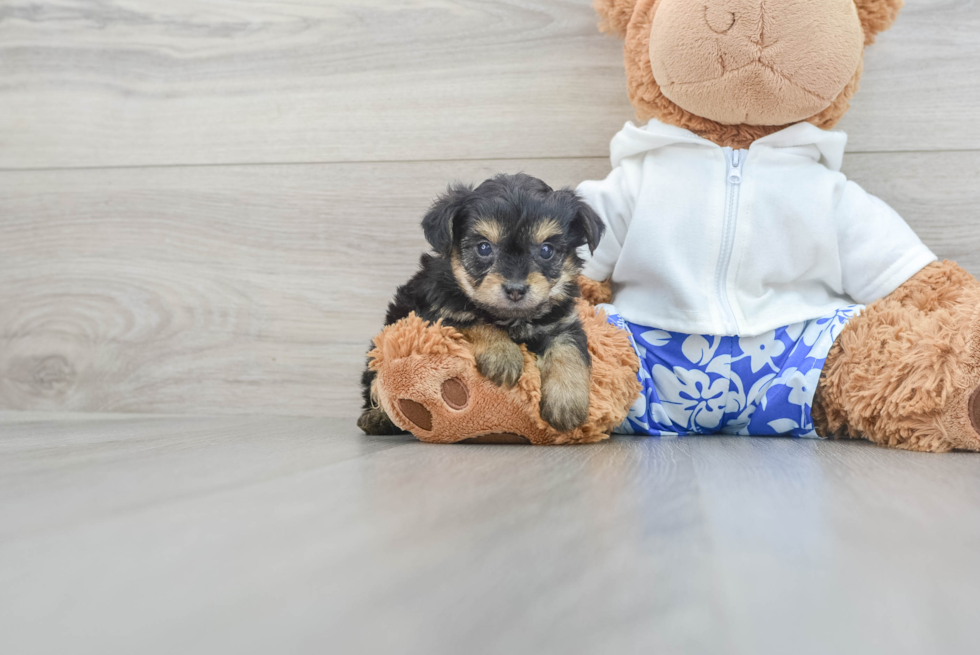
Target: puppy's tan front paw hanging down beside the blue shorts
[{"x": 565, "y": 379}]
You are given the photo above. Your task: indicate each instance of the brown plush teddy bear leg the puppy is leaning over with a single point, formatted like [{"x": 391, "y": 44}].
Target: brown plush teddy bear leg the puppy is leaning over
[{"x": 428, "y": 383}]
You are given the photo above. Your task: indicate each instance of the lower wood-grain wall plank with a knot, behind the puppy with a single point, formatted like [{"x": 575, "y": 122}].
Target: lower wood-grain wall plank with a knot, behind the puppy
[{"x": 257, "y": 288}]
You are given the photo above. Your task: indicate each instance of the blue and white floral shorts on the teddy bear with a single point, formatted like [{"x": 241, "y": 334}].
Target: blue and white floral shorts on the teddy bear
[{"x": 761, "y": 385}]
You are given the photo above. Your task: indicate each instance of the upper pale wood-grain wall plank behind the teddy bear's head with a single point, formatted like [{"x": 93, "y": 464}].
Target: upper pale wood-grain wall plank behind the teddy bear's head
[{"x": 138, "y": 82}]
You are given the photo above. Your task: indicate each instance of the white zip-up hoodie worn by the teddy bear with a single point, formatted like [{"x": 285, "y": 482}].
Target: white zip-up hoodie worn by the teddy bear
[{"x": 702, "y": 239}]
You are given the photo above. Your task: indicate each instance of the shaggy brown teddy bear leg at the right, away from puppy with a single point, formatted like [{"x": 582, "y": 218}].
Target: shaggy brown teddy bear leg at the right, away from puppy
[{"x": 905, "y": 373}]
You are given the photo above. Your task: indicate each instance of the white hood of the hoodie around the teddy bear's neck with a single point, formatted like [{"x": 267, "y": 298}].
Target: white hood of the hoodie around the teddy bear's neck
[{"x": 806, "y": 139}]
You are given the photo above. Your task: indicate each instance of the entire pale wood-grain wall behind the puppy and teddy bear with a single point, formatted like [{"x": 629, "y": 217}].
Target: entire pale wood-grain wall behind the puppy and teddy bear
[{"x": 205, "y": 206}]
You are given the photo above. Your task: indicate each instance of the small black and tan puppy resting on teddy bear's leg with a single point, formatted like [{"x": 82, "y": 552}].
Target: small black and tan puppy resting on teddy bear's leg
[{"x": 504, "y": 272}]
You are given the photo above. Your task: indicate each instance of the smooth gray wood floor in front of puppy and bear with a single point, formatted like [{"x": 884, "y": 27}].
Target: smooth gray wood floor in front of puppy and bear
[{"x": 294, "y": 535}]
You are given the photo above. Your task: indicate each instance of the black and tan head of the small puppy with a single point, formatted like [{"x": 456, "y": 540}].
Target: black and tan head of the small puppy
[{"x": 512, "y": 242}]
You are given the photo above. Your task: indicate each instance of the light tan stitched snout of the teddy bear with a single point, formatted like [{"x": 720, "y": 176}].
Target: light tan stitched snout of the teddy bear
[{"x": 756, "y": 58}]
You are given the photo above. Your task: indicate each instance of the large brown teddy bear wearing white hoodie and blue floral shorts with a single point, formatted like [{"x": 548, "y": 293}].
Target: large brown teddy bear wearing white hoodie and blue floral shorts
[{"x": 744, "y": 285}]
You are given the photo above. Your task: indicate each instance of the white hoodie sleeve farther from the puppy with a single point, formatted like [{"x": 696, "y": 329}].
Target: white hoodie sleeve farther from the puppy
[{"x": 878, "y": 250}]
